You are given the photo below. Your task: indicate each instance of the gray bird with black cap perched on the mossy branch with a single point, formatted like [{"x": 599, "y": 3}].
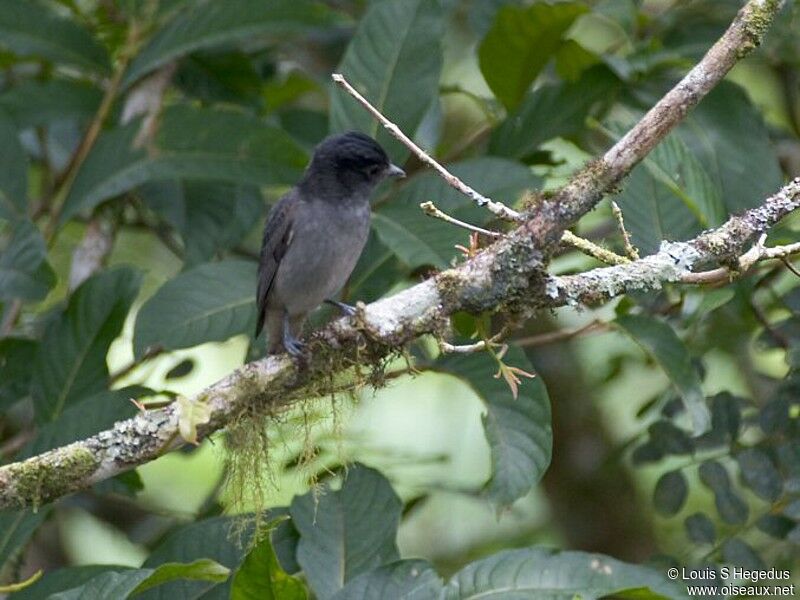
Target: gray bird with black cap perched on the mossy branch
[{"x": 315, "y": 234}]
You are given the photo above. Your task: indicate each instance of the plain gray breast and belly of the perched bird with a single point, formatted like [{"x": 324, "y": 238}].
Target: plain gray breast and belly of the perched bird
[{"x": 325, "y": 244}]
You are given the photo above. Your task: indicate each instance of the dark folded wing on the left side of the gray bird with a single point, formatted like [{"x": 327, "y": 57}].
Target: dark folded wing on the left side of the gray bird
[{"x": 277, "y": 237}]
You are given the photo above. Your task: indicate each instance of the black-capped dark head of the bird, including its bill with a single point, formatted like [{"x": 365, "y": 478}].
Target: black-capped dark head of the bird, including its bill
[{"x": 353, "y": 161}]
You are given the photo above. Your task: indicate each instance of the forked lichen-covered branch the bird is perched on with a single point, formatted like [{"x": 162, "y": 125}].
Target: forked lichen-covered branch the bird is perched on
[{"x": 510, "y": 274}]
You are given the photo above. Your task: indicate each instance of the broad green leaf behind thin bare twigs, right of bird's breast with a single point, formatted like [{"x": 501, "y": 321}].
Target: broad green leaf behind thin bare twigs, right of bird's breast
[{"x": 418, "y": 239}]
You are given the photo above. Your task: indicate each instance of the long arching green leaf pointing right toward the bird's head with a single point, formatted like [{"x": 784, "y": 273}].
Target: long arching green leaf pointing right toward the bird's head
[{"x": 197, "y": 143}]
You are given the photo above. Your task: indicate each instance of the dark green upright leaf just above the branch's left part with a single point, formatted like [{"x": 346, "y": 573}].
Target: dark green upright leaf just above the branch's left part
[{"x": 71, "y": 362}]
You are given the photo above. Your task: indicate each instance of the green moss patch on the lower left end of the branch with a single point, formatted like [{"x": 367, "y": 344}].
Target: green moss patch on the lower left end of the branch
[{"x": 51, "y": 475}]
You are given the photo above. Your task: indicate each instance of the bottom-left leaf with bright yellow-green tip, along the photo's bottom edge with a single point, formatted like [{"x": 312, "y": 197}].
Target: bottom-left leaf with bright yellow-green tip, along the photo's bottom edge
[{"x": 116, "y": 583}]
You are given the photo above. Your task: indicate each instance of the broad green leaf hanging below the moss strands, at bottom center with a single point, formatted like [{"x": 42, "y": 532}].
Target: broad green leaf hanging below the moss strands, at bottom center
[{"x": 347, "y": 532}]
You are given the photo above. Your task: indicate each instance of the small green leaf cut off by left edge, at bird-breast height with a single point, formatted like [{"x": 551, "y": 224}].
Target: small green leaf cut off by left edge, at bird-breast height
[{"x": 24, "y": 271}]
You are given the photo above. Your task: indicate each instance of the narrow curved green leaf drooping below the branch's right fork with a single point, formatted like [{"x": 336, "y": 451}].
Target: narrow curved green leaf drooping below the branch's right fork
[{"x": 658, "y": 339}]
